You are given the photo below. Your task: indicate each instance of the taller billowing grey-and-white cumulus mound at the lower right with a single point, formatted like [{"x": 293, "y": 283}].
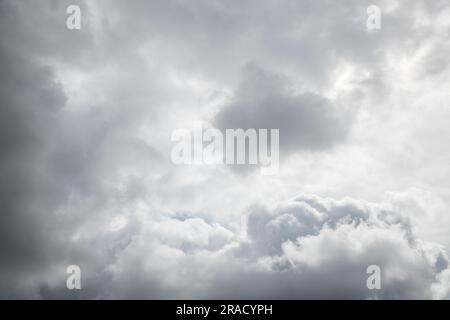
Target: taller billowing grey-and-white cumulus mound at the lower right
[{"x": 328, "y": 245}]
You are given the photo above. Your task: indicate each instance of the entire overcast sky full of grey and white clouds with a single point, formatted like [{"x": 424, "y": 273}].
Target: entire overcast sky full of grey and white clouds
[{"x": 86, "y": 118}]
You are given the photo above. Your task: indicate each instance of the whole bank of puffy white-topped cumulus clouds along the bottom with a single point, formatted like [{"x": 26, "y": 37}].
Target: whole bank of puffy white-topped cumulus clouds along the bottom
[{"x": 309, "y": 247}]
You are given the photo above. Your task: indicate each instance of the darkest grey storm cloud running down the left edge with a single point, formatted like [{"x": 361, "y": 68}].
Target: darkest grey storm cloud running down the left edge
[{"x": 36, "y": 177}]
